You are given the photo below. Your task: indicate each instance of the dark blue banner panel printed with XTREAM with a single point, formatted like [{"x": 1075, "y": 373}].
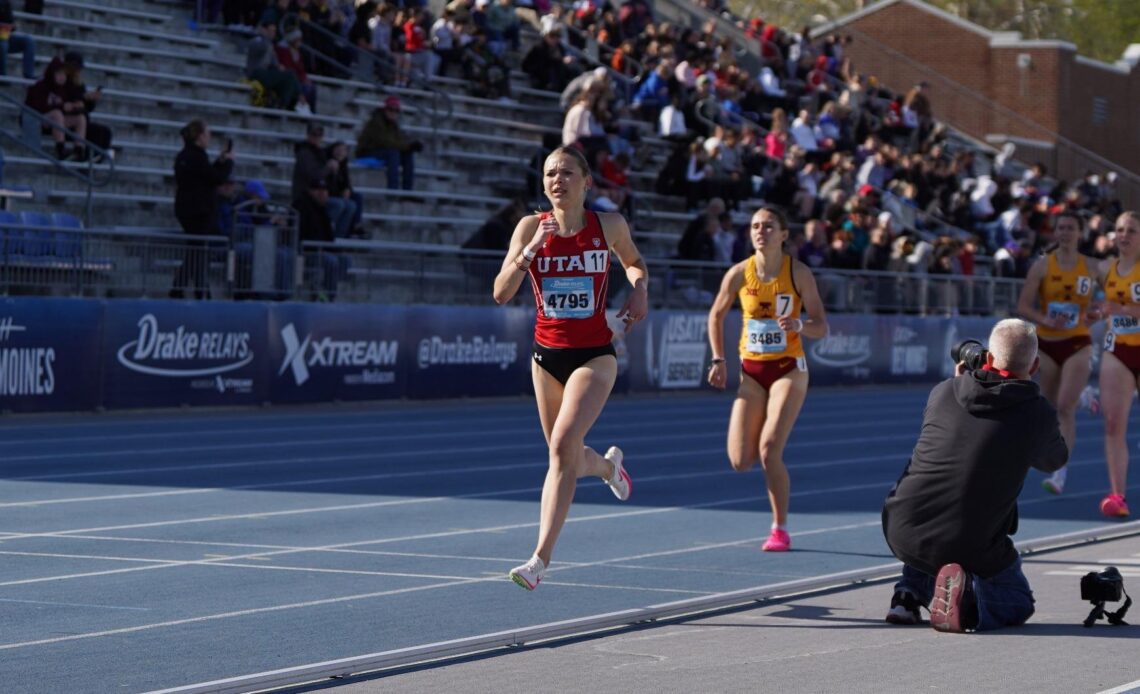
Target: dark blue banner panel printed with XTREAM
[{"x": 322, "y": 354}]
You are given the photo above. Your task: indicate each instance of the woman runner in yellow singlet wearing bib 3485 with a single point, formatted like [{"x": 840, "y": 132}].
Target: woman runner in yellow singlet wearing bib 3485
[{"x": 773, "y": 290}]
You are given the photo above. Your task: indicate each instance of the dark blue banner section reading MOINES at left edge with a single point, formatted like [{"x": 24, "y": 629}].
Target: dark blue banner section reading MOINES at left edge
[{"x": 50, "y": 352}]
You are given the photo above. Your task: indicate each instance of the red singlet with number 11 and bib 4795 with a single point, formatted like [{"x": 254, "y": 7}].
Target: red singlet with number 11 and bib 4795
[{"x": 571, "y": 276}]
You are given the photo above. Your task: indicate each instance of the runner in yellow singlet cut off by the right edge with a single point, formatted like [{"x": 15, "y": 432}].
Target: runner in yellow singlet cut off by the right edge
[{"x": 1120, "y": 365}]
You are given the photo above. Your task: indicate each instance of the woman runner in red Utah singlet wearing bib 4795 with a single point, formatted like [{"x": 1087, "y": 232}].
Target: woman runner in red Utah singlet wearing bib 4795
[{"x": 567, "y": 256}]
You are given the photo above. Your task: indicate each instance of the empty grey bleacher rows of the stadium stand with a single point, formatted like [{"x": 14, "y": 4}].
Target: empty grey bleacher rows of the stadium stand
[{"x": 159, "y": 71}]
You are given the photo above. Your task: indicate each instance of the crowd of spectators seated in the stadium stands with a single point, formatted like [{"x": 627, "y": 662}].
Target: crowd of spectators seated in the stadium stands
[{"x": 869, "y": 177}]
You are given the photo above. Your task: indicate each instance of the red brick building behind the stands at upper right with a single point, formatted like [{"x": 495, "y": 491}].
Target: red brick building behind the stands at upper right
[{"x": 1058, "y": 108}]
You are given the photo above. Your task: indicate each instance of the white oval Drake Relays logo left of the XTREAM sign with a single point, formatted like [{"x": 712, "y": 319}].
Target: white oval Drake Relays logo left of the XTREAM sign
[{"x": 159, "y": 353}]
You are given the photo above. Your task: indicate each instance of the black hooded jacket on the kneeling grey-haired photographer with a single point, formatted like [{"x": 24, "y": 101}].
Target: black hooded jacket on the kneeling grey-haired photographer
[{"x": 957, "y": 501}]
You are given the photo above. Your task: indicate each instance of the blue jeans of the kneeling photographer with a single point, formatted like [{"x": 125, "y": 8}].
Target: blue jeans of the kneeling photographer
[{"x": 1005, "y": 600}]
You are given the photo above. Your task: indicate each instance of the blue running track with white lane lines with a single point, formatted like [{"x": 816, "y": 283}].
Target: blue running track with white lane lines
[{"x": 151, "y": 551}]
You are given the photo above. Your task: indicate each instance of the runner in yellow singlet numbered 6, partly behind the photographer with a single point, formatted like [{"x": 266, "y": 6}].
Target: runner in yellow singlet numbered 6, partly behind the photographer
[{"x": 1056, "y": 297}]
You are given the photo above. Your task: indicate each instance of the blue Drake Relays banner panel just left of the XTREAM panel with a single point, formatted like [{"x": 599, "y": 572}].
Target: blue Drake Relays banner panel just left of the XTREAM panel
[{"x": 168, "y": 354}]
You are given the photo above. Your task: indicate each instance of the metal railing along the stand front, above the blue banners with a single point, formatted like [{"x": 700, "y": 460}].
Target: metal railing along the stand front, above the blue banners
[{"x": 263, "y": 262}]
